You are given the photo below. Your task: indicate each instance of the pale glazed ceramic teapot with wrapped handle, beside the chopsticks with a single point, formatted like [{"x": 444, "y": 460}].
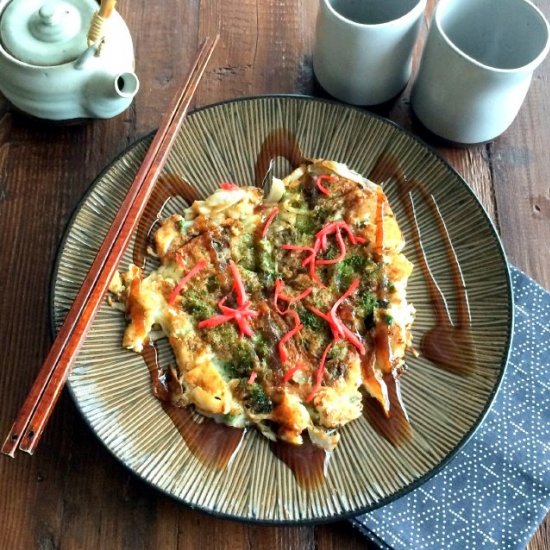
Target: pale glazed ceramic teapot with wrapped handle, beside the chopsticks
[{"x": 66, "y": 59}]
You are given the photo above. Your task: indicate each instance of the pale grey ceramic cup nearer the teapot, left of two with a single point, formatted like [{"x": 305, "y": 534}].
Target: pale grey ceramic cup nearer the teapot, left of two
[{"x": 363, "y": 48}]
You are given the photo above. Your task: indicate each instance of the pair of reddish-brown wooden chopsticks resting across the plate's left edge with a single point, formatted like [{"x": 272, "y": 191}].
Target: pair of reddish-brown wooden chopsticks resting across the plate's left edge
[{"x": 38, "y": 406}]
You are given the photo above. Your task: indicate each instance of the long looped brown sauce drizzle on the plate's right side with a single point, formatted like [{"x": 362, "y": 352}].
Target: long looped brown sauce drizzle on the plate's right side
[{"x": 448, "y": 344}]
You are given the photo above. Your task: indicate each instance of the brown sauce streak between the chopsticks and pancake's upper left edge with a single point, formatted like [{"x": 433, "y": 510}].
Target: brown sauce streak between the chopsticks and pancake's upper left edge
[{"x": 167, "y": 186}]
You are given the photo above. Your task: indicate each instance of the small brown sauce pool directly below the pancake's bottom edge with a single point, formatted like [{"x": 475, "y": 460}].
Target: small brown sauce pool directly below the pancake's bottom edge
[{"x": 308, "y": 462}]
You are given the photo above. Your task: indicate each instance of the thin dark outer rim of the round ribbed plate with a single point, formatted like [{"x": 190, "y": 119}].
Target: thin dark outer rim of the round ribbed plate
[{"x": 415, "y": 484}]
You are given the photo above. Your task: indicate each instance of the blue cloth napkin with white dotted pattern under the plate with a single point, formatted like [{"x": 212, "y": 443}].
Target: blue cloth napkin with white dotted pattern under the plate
[{"x": 496, "y": 491}]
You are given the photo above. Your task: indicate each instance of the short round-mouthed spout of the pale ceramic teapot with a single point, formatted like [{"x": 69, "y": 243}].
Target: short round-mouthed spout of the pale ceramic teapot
[{"x": 107, "y": 95}]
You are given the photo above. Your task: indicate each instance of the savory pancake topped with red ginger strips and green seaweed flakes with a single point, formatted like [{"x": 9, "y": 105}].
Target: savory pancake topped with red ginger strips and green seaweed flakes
[{"x": 279, "y": 310}]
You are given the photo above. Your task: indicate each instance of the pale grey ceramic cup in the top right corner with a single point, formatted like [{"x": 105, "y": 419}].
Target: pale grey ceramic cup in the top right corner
[{"x": 477, "y": 66}]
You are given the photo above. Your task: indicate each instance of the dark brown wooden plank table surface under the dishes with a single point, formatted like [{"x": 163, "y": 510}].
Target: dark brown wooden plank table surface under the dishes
[{"x": 73, "y": 494}]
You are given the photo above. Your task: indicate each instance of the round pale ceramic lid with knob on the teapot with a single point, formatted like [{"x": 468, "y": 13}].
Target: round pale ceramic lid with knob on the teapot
[{"x": 46, "y": 32}]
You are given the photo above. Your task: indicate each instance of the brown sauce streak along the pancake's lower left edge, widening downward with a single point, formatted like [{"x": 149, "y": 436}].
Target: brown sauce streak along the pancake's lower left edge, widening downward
[{"x": 212, "y": 443}]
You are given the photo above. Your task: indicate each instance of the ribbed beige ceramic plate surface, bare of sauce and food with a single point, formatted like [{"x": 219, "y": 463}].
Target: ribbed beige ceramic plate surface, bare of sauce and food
[{"x": 221, "y": 142}]
